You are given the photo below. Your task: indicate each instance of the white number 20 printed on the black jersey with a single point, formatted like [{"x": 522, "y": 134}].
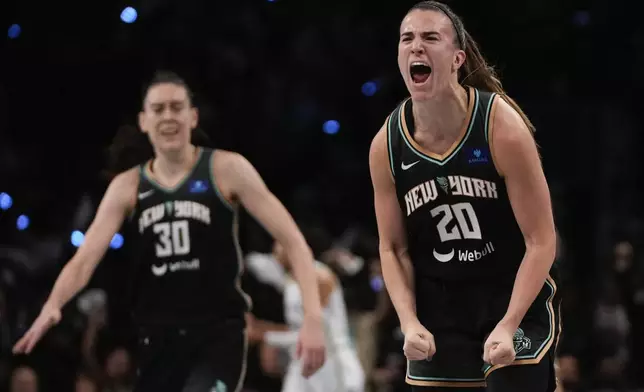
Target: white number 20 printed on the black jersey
[{"x": 463, "y": 229}]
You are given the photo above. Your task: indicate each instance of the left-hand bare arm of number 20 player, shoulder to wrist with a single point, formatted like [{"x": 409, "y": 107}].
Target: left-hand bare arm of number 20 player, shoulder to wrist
[{"x": 397, "y": 269}]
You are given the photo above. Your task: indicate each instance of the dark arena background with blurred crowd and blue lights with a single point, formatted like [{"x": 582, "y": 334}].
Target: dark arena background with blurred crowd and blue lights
[{"x": 300, "y": 87}]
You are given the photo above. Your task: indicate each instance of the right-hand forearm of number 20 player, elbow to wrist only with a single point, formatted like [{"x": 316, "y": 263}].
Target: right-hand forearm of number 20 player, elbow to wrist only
[{"x": 529, "y": 281}]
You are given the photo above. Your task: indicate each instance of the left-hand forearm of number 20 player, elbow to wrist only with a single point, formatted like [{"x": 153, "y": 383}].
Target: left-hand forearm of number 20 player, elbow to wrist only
[{"x": 398, "y": 277}]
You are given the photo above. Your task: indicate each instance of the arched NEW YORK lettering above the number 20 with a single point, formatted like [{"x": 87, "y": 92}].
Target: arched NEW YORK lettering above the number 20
[{"x": 423, "y": 193}]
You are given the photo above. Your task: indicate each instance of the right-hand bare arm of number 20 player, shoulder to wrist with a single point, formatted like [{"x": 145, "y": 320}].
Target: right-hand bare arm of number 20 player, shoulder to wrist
[{"x": 517, "y": 160}]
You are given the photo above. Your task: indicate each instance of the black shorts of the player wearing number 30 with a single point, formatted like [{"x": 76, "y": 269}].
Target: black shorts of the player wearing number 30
[{"x": 202, "y": 358}]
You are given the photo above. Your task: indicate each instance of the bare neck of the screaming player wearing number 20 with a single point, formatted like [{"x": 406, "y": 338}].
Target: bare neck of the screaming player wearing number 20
[{"x": 441, "y": 116}]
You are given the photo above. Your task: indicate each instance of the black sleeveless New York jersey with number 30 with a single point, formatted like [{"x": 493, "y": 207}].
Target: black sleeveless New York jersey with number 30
[{"x": 187, "y": 258}]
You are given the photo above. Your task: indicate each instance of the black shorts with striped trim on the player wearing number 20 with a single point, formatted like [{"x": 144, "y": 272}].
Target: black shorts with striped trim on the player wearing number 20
[{"x": 462, "y": 315}]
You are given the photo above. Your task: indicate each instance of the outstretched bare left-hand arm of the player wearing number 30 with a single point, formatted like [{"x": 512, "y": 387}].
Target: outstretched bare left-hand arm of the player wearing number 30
[{"x": 118, "y": 201}]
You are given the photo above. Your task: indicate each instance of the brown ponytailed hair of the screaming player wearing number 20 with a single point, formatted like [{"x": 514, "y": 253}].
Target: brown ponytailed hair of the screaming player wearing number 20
[{"x": 475, "y": 72}]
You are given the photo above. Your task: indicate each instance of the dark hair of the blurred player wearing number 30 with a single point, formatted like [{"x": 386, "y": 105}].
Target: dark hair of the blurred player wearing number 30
[{"x": 131, "y": 147}]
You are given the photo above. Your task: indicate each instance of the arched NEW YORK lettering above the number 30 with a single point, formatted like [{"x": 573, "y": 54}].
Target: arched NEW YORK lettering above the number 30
[{"x": 174, "y": 209}]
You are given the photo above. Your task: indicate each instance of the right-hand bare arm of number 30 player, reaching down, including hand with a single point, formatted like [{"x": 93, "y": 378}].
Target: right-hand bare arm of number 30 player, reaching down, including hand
[{"x": 241, "y": 182}]
